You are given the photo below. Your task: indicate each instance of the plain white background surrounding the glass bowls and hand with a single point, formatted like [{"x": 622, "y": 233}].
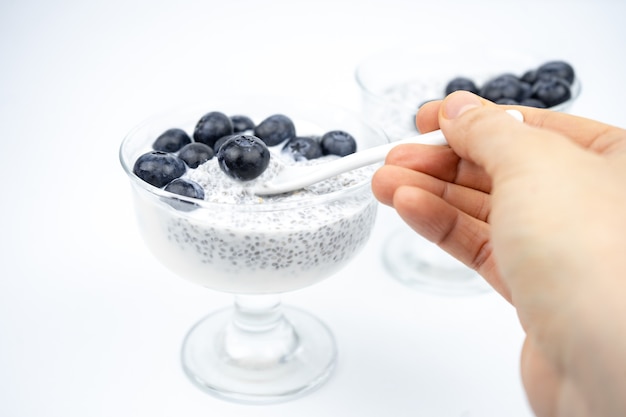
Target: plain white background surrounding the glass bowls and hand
[{"x": 91, "y": 324}]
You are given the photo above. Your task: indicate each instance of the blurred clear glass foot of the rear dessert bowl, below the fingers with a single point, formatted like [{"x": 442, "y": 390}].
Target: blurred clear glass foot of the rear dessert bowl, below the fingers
[{"x": 420, "y": 264}]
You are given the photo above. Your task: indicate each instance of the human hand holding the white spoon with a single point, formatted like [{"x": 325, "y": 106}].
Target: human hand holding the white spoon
[{"x": 539, "y": 210}]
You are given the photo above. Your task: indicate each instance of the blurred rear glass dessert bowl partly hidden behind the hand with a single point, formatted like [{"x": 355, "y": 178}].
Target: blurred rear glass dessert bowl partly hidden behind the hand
[{"x": 394, "y": 84}]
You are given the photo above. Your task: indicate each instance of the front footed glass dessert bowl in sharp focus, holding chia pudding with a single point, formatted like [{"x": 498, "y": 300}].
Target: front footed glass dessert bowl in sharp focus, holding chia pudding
[{"x": 256, "y": 248}]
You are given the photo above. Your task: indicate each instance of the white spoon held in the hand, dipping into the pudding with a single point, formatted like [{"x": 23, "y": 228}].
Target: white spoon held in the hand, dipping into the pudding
[{"x": 295, "y": 177}]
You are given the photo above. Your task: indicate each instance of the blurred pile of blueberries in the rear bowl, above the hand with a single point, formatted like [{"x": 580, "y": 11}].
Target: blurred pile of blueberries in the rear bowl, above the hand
[{"x": 545, "y": 86}]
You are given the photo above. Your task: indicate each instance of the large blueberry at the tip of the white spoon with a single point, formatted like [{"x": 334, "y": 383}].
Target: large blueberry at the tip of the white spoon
[{"x": 243, "y": 157}]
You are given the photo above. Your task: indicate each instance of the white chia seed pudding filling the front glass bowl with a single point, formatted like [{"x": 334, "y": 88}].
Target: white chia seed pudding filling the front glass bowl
[{"x": 235, "y": 241}]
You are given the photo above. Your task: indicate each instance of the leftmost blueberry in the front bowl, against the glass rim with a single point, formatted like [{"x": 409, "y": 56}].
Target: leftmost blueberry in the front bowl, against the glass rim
[{"x": 159, "y": 168}]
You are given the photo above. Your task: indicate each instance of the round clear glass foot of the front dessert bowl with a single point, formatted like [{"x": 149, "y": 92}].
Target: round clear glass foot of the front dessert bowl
[{"x": 272, "y": 371}]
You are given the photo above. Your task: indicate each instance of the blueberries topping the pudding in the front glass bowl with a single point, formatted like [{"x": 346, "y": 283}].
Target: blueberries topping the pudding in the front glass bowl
[{"x": 240, "y": 146}]
